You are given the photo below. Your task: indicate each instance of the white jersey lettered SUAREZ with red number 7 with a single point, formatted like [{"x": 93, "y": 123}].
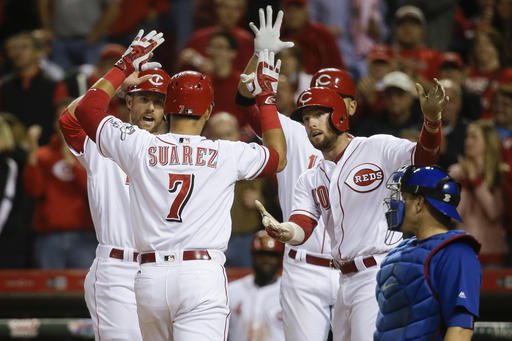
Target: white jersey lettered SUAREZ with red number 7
[{"x": 181, "y": 186}]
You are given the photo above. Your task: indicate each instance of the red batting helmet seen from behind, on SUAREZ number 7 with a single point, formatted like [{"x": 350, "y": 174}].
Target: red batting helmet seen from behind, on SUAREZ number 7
[{"x": 190, "y": 94}]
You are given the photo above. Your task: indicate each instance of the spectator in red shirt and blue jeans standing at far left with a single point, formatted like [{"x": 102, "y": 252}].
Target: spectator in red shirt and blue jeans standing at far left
[{"x": 62, "y": 221}]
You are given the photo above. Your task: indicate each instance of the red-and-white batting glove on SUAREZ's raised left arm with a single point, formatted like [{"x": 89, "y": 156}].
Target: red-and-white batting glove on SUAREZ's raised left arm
[{"x": 140, "y": 50}]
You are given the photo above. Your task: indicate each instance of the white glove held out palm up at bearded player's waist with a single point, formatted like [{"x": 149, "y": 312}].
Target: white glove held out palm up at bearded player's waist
[{"x": 286, "y": 232}]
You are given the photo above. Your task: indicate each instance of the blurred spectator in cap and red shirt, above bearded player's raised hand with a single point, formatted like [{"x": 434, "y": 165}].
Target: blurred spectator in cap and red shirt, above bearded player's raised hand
[{"x": 408, "y": 47}]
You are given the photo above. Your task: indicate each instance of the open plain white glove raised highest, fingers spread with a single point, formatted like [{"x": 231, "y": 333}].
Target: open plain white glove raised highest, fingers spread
[{"x": 267, "y": 36}]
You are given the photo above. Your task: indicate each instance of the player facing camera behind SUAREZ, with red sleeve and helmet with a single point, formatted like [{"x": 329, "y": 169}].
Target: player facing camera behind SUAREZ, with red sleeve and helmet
[{"x": 109, "y": 284}]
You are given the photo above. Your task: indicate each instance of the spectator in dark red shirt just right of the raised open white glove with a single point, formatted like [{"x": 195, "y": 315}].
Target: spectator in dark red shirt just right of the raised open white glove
[{"x": 317, "y": 43}]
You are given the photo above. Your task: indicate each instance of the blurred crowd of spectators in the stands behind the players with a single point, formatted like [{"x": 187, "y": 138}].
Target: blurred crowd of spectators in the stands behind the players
[{"x": 53, "y": 50}]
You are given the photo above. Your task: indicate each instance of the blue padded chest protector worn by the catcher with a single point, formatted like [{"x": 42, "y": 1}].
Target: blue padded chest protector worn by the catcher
[{"x": 408, "y": 309}]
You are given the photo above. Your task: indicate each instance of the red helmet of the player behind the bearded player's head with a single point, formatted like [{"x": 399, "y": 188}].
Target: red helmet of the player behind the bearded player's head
[{"x": 339, "y": 80}]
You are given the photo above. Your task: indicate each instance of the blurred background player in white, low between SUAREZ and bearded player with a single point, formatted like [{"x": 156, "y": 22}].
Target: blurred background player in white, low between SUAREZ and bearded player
[{"x": 256, "y": 314}]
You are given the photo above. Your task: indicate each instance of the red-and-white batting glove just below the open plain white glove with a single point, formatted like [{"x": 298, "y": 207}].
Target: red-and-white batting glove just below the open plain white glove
[{"x": 262, "y": 84}]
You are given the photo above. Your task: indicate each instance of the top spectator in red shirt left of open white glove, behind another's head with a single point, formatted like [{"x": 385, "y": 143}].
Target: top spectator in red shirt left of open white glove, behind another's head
[{"x": 229, "y": 14}]
